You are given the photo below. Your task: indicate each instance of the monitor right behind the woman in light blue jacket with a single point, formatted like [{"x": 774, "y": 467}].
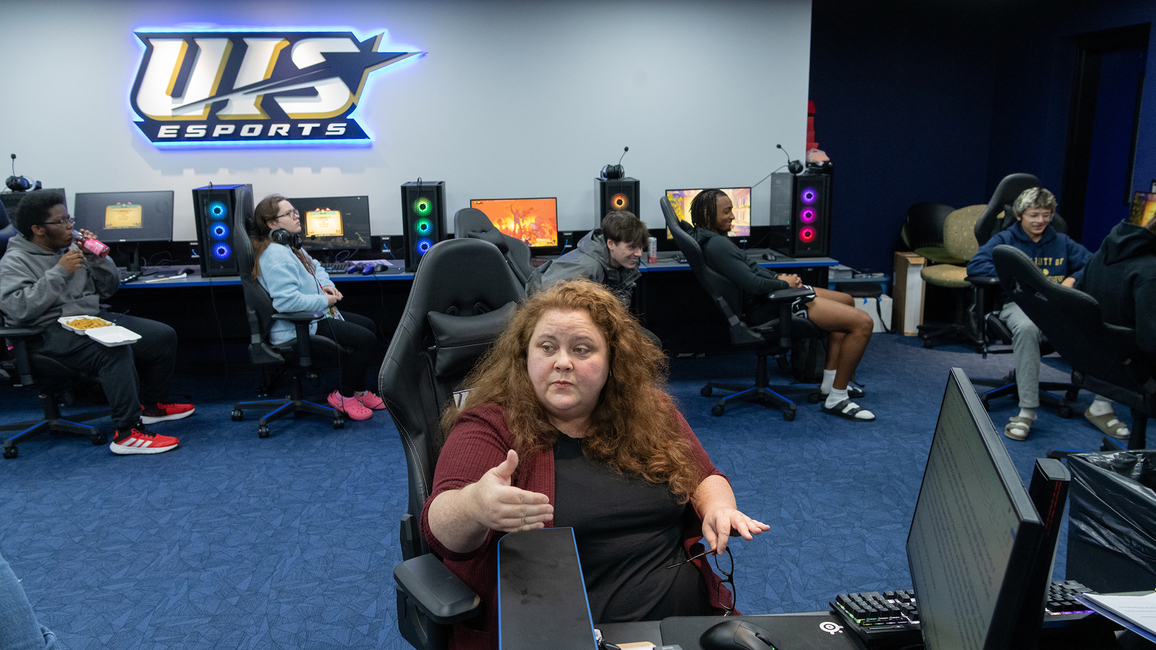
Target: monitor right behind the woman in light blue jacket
[{"x": 335, "y": 224}]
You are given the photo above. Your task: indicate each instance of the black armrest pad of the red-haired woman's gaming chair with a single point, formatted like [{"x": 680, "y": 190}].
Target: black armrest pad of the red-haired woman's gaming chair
[{"x": 436, "y": 592}]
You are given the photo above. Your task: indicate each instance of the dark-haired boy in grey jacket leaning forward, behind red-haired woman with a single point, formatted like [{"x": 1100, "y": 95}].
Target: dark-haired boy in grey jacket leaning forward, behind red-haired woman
[{"x": 609, "y": 255}]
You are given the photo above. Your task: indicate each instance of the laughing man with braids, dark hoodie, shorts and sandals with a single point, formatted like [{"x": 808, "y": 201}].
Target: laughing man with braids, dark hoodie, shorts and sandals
[{"x": 850, "y": 329}]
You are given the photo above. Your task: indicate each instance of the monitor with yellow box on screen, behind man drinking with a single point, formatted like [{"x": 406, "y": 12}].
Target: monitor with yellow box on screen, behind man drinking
[{"x": 125, "y": 217}]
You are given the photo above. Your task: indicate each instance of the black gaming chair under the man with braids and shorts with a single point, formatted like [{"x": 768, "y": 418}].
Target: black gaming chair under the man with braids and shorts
[{"x": 768, "y": 339}]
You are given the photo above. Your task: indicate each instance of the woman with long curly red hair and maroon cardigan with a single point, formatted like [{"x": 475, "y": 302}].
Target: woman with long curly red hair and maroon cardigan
[{"x": 567, "y": 425}]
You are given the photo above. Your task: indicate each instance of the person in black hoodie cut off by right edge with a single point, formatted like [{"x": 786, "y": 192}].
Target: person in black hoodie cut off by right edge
[{"x": 1122, "y": 277}]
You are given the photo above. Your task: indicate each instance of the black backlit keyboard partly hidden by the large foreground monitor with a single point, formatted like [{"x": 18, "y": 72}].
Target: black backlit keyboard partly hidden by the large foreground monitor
[{"x": 892, "y": 619}]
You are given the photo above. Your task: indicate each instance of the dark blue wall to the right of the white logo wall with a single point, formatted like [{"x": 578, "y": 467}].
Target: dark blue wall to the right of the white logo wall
[{"x": 938, "y": 105}]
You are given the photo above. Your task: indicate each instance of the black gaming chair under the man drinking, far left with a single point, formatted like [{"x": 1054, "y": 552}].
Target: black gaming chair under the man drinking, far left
[{"x": 50, "y": 379}]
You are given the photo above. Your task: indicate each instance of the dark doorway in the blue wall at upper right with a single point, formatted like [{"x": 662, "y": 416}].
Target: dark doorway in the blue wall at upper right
[{"x": 1102, "y": 131}]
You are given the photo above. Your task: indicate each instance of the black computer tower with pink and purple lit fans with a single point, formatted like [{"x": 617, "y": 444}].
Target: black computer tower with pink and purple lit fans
[{"x": 802, "y": 215}]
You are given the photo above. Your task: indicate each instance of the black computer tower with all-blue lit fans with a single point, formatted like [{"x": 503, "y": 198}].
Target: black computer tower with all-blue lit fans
[{"x": 216, "y": 210}]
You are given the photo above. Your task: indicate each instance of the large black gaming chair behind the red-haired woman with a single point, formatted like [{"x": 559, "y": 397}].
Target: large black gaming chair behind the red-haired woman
[{"x": 462, "y": 299}]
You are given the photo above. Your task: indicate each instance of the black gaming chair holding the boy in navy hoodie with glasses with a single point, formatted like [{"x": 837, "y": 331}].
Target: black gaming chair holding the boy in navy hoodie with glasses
[{"x": 995, "y": 335}]
